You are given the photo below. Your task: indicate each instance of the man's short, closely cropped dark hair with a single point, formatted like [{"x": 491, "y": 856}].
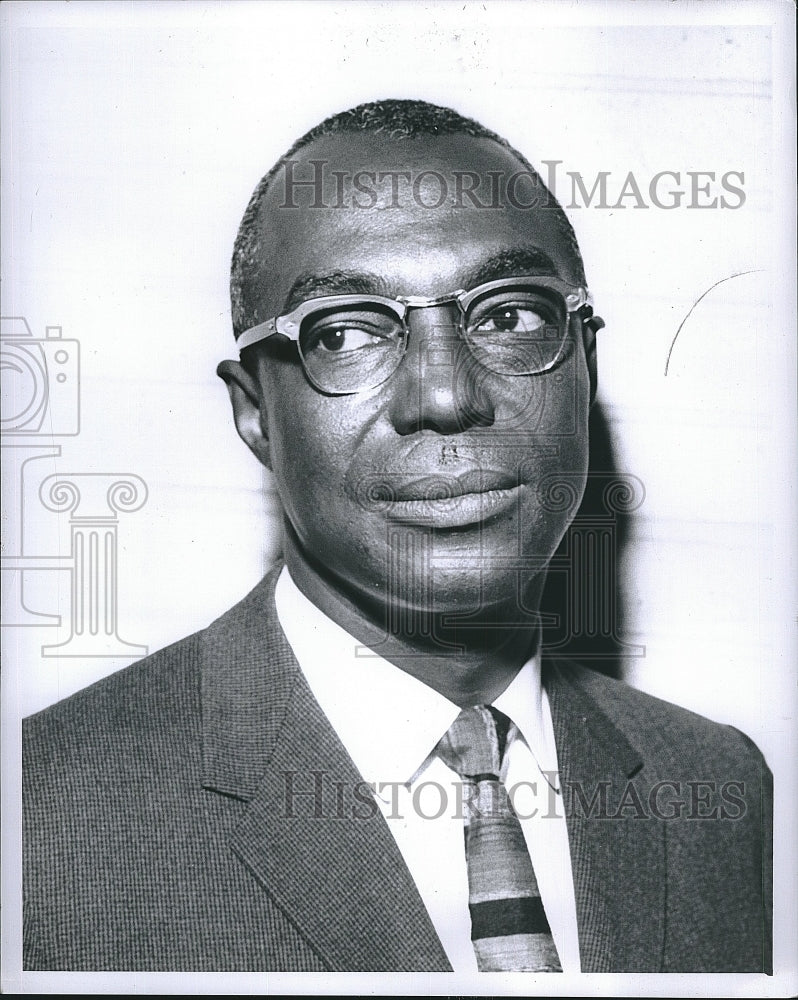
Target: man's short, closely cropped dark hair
[{"x": 396, "y": 119}]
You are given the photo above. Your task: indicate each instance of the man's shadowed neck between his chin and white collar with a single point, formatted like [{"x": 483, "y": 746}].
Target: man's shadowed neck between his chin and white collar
[{"x": 469, "y": 665}]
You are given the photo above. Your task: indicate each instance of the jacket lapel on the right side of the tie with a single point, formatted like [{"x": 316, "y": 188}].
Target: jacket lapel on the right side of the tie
[{"x": 618, "y": 856}]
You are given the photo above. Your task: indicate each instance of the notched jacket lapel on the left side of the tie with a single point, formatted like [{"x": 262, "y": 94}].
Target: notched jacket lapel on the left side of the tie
[{"x": 312, "y": 834}]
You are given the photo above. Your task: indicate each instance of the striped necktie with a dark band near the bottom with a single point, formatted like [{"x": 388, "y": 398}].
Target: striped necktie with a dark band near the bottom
[{"x": 509, "y": 929}]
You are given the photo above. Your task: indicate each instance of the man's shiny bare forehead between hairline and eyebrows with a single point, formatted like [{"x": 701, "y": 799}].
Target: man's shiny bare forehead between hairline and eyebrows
[{"x": 400, "y": 209}]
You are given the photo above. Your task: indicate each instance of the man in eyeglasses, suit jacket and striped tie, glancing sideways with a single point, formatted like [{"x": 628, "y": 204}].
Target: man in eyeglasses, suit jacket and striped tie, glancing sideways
[{"x": 418, "y": 363}]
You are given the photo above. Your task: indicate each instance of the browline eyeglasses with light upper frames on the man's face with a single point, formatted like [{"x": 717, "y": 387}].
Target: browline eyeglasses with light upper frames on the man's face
[{"x": 353, "y": 343}]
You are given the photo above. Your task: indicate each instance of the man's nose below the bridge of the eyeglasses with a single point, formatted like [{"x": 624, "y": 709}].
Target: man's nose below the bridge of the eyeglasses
[{"x": 439, "y": 386}]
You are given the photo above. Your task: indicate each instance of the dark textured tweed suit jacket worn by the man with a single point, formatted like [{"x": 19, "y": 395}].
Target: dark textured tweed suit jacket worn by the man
[{"x": 158, "y": 833}]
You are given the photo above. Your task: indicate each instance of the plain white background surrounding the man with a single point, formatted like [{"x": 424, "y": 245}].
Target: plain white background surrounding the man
[{"x": 133, "y": 136}]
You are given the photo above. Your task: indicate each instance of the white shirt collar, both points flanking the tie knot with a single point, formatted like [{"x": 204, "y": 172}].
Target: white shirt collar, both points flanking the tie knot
[{"x": 388, "y": 721}]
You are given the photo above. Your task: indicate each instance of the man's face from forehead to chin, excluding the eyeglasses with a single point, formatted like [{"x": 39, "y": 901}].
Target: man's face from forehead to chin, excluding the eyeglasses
[{"x": 360, "y": 475}]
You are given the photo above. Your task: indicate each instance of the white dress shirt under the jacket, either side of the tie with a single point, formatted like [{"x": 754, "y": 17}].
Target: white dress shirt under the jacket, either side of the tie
[{"x": 390, "y": 722}]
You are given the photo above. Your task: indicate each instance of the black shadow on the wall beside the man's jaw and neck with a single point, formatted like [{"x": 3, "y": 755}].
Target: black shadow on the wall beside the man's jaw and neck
[{"x": 584, "y": 600}]
